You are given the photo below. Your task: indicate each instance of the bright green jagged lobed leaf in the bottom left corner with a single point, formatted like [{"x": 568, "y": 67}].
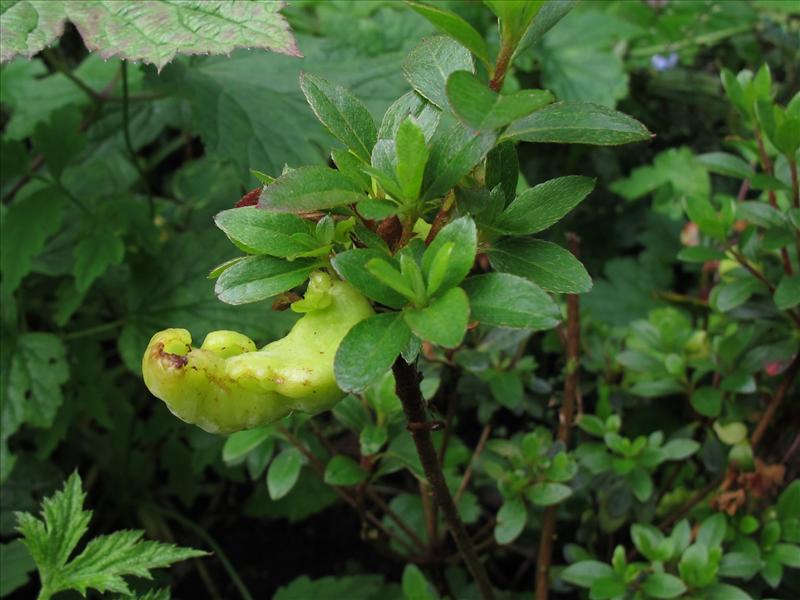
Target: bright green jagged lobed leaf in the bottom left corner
[{"x": 104, "y": 561}]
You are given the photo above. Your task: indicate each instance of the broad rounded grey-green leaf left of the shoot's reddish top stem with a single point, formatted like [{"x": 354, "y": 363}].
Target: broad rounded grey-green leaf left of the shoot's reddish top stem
[{"x": 429, "y": 65}]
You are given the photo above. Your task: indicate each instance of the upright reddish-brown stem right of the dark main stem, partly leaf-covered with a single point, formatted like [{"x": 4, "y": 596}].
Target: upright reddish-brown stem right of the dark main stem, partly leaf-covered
[{"x": 544, "y": 556}]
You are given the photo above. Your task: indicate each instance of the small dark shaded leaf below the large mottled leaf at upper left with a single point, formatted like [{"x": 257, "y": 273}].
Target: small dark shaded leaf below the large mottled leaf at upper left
[{"x": 60, "y": 141}]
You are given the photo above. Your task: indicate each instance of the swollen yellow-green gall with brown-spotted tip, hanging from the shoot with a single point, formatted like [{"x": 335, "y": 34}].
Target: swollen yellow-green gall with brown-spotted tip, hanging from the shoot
[{"x": 227, "y": 385}]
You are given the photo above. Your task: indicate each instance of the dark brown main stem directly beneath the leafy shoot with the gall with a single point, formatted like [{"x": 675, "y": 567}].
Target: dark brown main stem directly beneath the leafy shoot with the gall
[{"x": 407, "y": 380}]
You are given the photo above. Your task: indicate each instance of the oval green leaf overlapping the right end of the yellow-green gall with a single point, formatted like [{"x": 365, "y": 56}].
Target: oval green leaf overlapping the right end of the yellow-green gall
[{"x": 369, "y": 349}]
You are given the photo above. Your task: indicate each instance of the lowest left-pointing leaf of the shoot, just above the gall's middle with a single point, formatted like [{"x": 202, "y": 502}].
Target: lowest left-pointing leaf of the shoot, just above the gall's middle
[{"x": 260, "y": 277}]
